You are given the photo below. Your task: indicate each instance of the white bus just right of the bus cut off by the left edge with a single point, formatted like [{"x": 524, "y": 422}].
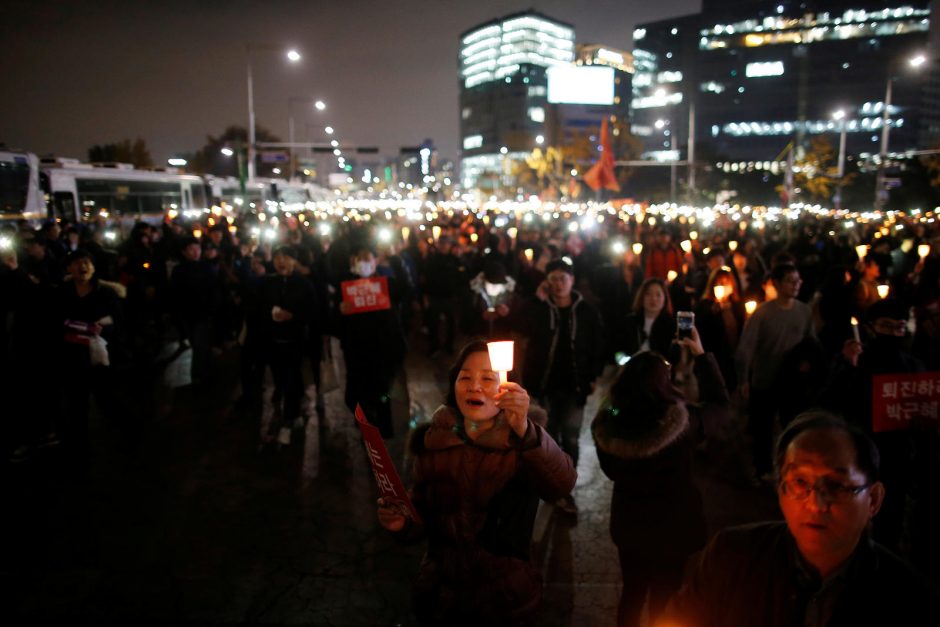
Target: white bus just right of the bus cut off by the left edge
[{"x": 118, "y": 193}]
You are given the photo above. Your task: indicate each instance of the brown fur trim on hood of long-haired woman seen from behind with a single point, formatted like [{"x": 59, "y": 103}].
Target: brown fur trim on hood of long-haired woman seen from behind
[{"x": 618, "y": 433}]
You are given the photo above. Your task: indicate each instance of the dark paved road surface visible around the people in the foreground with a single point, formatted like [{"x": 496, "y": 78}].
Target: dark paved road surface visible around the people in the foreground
[{"x": 177, "y": 517}]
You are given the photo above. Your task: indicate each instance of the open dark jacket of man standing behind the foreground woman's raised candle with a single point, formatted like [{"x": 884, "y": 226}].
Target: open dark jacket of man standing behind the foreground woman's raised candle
[{"x": 543, "y": 331}]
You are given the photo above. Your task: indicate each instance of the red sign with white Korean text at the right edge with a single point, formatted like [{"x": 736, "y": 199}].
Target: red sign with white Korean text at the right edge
[{"x": 903, "y": 401}]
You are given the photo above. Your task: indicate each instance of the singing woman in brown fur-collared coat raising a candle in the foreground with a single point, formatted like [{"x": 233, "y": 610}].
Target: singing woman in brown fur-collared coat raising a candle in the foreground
[{"x": 479, "y": 470}]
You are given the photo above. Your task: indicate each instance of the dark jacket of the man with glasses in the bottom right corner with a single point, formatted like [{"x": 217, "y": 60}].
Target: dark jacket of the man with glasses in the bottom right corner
[{"x": 754, "y": 575}]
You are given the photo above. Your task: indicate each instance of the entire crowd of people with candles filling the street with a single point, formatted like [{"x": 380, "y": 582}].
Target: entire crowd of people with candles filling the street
[{"x": 792, "y": 316}]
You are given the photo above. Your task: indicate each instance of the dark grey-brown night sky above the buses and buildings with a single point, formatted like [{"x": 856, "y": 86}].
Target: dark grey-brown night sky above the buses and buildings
[{"x": 78, "y": 73}]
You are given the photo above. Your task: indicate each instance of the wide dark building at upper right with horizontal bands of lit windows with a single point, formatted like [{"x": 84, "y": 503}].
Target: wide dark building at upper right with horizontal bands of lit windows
[{"x": 754, "y": 75}]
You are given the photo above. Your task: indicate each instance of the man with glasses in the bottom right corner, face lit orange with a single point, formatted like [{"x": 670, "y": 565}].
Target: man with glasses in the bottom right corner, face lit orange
[{"x": 821, "y": 566}]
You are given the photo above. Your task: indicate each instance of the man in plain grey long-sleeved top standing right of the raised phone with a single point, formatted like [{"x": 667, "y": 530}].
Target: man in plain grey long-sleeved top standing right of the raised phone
[{"x": 775, "y": 329}]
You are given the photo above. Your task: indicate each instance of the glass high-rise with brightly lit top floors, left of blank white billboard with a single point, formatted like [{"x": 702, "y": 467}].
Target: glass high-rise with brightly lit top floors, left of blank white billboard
[{"x": 504, "y": 91}]
